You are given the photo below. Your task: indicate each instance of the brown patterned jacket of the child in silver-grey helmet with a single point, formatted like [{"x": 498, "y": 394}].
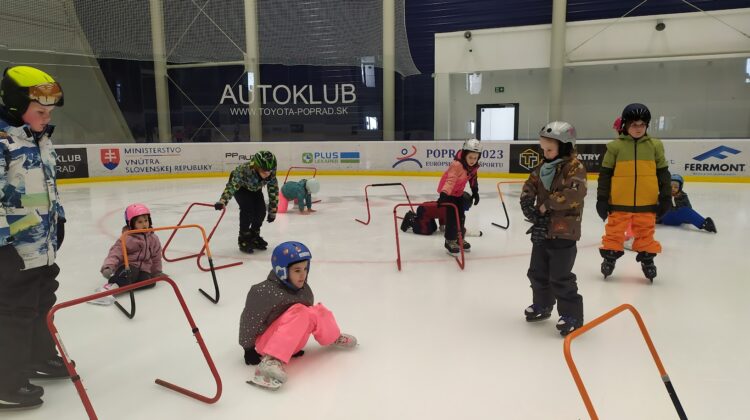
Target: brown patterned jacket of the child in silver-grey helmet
[{"x": 564, "y": 200}]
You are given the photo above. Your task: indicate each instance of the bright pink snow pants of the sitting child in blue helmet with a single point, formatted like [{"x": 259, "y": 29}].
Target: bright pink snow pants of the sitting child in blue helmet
[{"x": 290, "y": 332}]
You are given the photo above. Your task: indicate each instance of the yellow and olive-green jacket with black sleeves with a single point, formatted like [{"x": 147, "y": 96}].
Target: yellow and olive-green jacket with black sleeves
[{"x": 634, "y": 175}]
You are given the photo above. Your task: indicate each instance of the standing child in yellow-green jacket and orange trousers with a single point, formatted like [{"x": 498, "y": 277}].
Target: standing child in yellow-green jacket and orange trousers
[{"x": 634, "y": 187}]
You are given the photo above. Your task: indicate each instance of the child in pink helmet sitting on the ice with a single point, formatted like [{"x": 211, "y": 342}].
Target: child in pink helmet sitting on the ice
[{"x": 144, "y": 255}]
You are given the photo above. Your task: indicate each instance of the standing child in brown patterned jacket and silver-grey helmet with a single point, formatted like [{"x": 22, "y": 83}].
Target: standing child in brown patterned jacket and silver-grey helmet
[{"x": 552, "y": 199}]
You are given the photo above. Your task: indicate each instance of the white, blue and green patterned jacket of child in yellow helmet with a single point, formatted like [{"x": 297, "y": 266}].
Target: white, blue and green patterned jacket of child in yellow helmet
[{"x": 29, "y": 201}]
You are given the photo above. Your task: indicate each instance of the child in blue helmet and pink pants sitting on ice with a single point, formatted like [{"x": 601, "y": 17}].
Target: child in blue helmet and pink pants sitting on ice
[{"x": 280, "y": 315}]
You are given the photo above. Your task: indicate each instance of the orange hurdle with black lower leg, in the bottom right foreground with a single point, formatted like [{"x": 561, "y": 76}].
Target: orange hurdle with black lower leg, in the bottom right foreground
[{"x": 577, "y": 377}]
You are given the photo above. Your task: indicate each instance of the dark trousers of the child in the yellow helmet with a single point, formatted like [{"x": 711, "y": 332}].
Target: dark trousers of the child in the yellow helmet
[{"x": 25, "y": 299}]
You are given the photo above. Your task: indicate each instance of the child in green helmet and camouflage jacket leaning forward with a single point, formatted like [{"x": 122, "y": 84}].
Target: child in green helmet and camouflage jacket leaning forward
[{"x": 246, "y": 184}]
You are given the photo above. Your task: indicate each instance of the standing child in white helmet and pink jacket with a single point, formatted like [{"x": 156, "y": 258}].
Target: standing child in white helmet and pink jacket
[{"x": 461, "y": 171}]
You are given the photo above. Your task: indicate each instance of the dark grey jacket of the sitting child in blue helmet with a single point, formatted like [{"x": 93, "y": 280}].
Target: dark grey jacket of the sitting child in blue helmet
[{"x": 265, "y": 302}]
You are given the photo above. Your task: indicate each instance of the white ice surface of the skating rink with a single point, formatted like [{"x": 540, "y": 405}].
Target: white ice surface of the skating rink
[{"x": 435, "y": 342}]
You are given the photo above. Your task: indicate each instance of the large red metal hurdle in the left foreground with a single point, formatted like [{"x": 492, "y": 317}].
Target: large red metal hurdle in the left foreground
[{"x": 129, "y": 288}]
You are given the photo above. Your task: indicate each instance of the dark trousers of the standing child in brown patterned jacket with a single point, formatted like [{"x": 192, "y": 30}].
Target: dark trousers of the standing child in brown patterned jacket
[{"x": 552, "y": 279}]
